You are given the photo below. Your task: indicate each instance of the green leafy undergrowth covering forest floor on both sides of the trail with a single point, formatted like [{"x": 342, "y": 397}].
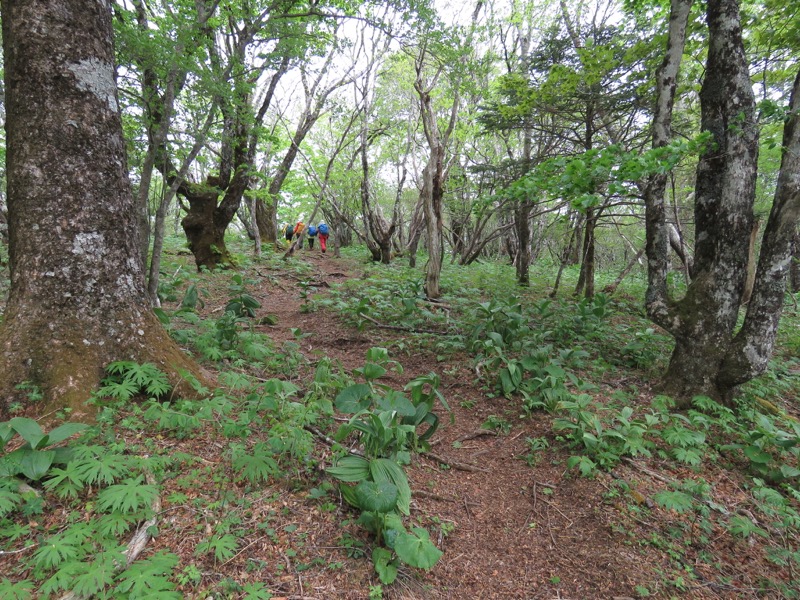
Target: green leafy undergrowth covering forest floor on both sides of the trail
[{"x": 285, "y": 421}]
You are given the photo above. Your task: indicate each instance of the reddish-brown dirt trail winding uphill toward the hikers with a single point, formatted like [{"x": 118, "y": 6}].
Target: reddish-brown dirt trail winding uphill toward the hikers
[{"x": 510, "y": 530}]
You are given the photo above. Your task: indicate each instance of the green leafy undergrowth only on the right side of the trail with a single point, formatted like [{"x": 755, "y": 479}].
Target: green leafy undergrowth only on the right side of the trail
[{"x": 564, "y": 356}]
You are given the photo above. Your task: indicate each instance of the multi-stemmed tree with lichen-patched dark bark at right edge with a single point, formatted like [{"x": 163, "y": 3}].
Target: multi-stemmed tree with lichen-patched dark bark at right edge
[{"x": 710, "y": 357}]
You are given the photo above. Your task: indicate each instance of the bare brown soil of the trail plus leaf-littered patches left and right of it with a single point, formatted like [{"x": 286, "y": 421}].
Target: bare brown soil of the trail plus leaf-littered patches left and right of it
[{"x": 512, "y": 524}]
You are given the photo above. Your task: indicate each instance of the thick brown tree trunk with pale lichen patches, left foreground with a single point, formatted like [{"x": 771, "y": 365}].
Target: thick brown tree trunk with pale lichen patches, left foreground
[{"x": 77, "y": 296}]
